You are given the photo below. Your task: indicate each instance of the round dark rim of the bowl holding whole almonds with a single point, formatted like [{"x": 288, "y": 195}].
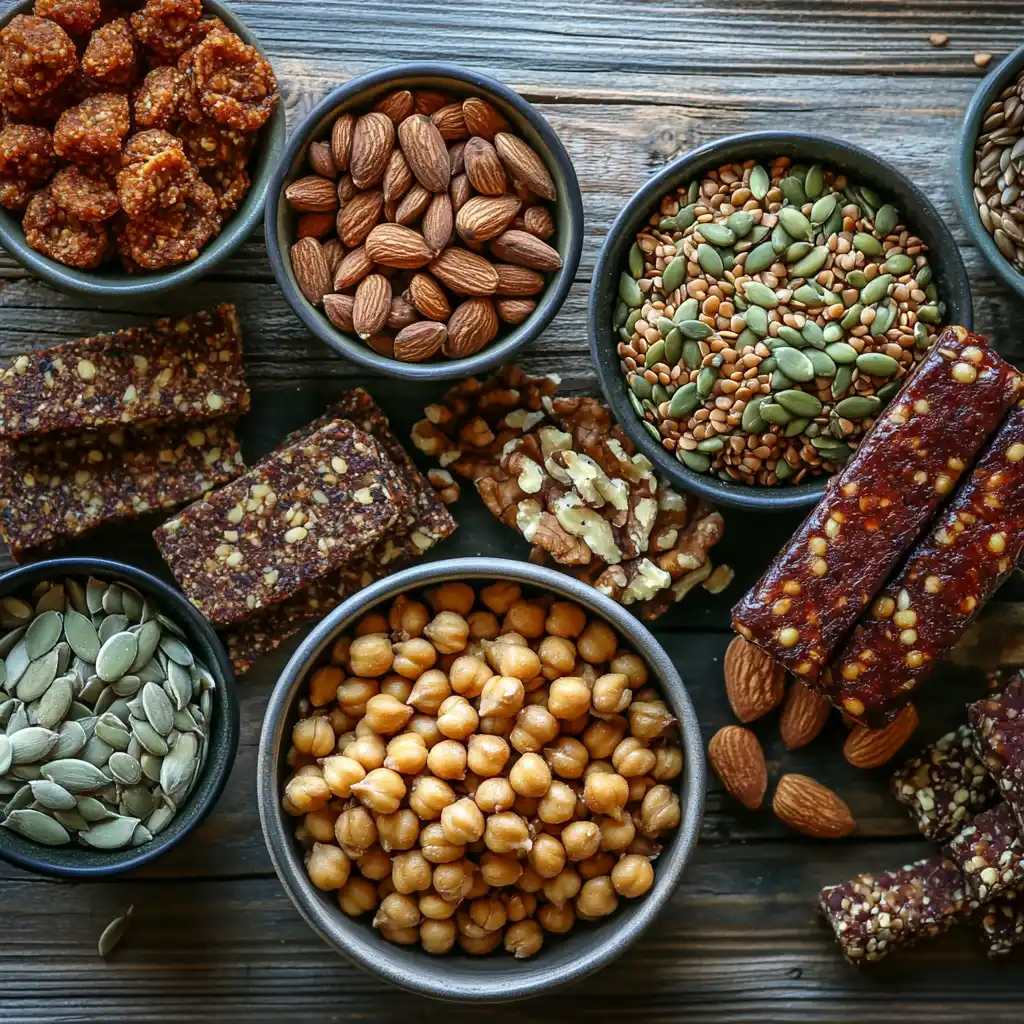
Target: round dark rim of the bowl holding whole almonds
[{"x": 553, "y": 298}]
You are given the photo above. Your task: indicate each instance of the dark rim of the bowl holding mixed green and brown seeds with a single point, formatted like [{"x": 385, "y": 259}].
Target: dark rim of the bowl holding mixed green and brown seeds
[{"x": 612, "y": 381}]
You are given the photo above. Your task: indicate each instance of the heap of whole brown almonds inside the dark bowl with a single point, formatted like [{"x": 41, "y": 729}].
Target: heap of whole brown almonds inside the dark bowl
[{"x": 423, "y": 225}]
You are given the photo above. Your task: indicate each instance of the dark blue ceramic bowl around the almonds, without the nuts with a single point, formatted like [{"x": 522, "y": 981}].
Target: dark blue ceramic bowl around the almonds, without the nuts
[{"x": 359, "y": 96}]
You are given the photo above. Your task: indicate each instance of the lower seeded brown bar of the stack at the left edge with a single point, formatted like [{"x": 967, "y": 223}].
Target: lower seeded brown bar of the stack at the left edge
[{"x": 56, "y": 489}]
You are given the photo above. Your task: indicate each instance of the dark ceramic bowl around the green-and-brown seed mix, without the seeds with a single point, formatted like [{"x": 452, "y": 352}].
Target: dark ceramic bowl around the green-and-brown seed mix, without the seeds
[{"x": 865, "y": 167}]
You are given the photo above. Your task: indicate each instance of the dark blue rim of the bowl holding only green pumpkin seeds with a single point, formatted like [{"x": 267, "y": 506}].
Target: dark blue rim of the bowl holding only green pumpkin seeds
[{"x": 195, "y": 810}]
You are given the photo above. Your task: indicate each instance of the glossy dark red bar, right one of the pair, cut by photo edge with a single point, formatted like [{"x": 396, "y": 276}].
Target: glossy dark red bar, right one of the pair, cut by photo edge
[{"x": 917, "y": 620}]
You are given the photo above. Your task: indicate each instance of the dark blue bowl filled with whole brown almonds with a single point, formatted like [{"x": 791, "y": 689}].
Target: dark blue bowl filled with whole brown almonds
[{"x": 428, "y": 224}]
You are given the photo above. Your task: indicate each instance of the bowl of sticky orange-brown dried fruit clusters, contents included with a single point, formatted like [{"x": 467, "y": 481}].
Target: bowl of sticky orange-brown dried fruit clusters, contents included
[{"x": 138, "y": 144}]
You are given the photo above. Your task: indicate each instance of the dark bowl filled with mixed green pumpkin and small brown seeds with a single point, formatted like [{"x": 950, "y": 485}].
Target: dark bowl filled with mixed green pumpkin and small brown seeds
[{"x": 759, "y": 302}]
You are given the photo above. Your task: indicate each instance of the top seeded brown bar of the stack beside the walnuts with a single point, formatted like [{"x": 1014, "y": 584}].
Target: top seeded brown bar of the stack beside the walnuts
[{"x": 296, "y": 517}]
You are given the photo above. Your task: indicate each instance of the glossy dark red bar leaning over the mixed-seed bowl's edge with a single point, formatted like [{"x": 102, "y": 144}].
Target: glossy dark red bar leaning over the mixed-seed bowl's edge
[{"x": 877, "y": 507}]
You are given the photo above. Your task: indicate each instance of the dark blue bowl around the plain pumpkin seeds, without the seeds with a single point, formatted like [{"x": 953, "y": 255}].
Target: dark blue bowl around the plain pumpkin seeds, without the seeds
[{"x": 79, "y": 863}]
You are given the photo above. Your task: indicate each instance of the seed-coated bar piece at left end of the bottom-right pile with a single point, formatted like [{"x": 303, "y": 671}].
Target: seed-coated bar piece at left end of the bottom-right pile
[{"x": 874, "y": 916}]
